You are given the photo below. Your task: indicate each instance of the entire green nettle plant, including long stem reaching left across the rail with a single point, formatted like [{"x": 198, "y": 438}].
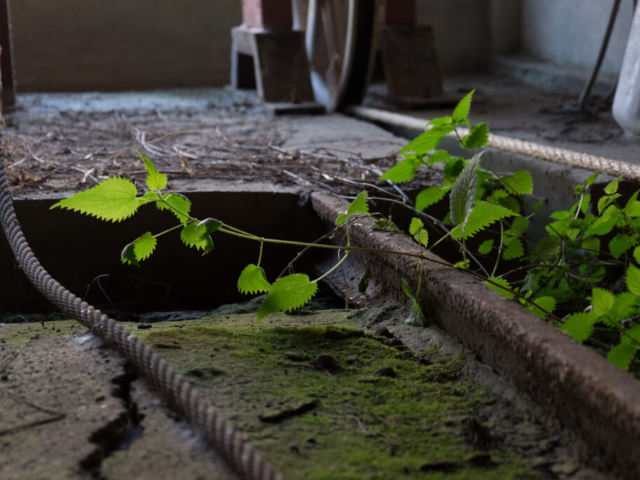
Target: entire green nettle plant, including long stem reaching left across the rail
[{"x": 565, "y": 272}]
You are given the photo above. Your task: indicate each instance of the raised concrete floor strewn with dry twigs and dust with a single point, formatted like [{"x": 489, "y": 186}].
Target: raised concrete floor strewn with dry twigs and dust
[{"x": 66, "y": 142}]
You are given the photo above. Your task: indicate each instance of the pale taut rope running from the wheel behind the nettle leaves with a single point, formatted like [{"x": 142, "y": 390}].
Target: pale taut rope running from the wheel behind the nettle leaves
[{"x": 531, "y": 149}]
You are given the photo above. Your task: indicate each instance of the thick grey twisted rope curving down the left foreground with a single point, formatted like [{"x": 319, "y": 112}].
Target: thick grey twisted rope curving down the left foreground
[{"x": 223, "y": 436}]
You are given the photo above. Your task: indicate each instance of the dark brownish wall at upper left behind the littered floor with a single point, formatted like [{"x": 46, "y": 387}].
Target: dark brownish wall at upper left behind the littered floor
[{"x": 67, "y": 45}]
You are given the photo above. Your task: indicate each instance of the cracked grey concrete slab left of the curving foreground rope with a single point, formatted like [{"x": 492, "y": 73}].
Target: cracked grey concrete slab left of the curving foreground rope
[{"x": 69, "y": 408}]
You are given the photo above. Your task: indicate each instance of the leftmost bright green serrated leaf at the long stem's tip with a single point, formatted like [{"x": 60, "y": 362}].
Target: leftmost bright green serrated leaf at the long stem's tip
[{"x": 112, "y": 200}]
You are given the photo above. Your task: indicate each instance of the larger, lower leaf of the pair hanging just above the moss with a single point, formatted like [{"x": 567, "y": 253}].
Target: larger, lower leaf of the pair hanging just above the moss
[{"x": 288, "y": 293}]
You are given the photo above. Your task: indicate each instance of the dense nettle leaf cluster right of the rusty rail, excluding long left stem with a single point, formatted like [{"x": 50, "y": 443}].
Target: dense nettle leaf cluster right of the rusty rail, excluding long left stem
[{"x": 563, "y": 267}]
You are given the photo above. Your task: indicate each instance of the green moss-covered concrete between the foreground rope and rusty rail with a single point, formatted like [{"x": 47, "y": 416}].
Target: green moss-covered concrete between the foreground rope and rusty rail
[{"x": 328, "y": 402}]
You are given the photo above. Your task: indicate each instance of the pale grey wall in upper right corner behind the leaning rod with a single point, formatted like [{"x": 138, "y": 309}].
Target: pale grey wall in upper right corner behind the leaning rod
[{"x": 569, "y": 32}]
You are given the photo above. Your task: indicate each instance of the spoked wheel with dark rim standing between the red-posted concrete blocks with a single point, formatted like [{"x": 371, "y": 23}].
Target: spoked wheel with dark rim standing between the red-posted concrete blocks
[{"x": 341, "y": 65}]
